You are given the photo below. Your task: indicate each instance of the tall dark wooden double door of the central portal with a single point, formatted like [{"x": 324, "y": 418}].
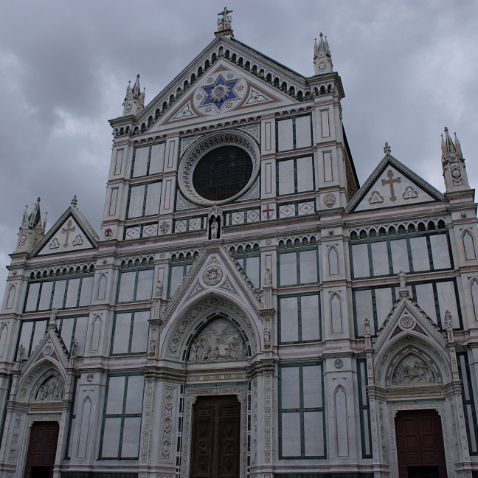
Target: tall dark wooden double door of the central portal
[{"x": 215, "y": 438}]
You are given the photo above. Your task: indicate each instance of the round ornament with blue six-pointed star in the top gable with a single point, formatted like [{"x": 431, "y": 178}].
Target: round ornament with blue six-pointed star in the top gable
[{"x": 221, "y": 93}]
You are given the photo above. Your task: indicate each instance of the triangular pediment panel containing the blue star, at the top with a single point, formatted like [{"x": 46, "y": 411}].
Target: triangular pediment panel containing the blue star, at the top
[{"x": 226, "y": 89}]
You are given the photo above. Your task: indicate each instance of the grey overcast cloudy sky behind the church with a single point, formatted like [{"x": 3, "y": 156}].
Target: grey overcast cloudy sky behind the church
[{"x": 409, "y": 68}]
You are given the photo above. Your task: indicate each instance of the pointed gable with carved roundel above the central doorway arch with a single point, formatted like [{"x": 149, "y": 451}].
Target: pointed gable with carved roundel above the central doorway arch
[{"x": 213, "y": 271}]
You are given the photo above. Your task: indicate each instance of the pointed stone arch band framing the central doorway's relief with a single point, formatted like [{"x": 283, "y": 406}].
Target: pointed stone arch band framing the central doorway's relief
[{"x": 189, "y": 320}]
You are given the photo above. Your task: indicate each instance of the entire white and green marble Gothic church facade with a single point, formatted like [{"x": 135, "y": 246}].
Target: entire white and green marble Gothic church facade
[{"x": 246, "y": 309}]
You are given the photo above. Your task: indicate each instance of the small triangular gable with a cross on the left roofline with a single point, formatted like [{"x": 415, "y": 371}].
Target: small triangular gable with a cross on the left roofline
[{"x": 70, "y": 233}]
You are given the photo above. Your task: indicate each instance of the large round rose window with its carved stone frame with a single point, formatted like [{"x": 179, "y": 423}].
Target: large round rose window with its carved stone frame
[{"x": 219, "y": 168}]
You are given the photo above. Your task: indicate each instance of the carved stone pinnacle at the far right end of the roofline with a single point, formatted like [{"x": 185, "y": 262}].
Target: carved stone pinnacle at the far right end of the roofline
[{"x": 453, "y": 163}]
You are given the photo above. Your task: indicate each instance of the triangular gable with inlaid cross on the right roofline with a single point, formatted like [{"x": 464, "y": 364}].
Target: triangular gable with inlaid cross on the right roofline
[{"x": 392, "y": 184}]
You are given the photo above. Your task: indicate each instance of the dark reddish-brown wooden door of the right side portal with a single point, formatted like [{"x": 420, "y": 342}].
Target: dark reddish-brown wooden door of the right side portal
[{"x": 420, "y": 444}]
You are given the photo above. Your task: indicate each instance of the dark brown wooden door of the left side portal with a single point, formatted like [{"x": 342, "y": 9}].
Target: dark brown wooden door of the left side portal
[{"x": 41, "y": 450}]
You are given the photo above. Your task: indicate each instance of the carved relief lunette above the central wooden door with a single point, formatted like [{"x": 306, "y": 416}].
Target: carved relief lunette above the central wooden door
[{"x": 218, "y": 341}]
